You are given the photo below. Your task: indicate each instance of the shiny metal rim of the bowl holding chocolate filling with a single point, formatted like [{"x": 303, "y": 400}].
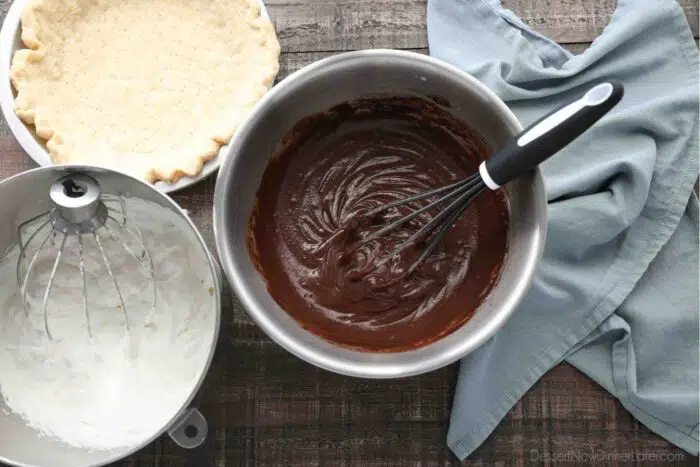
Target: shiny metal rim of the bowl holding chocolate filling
[{"x": 281, "y": 336}]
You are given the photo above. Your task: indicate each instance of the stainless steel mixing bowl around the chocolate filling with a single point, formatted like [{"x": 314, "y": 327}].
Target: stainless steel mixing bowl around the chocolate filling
[{"x": 316, "y": 88}]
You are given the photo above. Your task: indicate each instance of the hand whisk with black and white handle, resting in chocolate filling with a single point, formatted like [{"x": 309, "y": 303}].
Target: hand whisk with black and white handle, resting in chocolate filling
[{"x": 522, "y": 153}]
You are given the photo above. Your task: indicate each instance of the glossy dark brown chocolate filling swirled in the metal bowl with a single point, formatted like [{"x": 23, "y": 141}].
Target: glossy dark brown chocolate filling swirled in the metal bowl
[{"x": 306, "y": 231}]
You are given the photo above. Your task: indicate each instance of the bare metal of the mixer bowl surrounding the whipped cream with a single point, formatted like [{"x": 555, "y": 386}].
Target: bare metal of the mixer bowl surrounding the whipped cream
[{"x": 25, "y": 196}]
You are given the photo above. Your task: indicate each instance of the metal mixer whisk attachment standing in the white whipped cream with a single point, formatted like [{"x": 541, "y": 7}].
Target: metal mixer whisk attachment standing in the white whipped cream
[{"x": 79, "y": 209}]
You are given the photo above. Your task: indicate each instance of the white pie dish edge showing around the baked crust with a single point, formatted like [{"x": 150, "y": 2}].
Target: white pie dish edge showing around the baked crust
[{"x": 33, "y": 145}]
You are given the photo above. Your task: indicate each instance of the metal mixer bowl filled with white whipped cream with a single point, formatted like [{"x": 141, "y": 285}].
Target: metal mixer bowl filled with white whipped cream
[{"x": 98, "y": 386}]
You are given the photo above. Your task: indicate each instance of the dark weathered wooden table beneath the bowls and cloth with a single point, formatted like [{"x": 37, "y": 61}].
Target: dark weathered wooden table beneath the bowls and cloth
[{"x": 267, "y": 408}]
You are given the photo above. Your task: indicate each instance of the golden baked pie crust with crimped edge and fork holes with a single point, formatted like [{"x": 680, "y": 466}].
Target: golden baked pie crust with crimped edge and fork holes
[{"x": 152, "y": 88}]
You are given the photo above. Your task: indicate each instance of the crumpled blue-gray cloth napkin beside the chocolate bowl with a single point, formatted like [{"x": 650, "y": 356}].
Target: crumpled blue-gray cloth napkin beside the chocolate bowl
[{"x": 616, "y": 294}]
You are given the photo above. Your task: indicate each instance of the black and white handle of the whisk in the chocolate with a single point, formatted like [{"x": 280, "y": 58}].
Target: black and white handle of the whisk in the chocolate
[{"x": 548, "y": 135}]
